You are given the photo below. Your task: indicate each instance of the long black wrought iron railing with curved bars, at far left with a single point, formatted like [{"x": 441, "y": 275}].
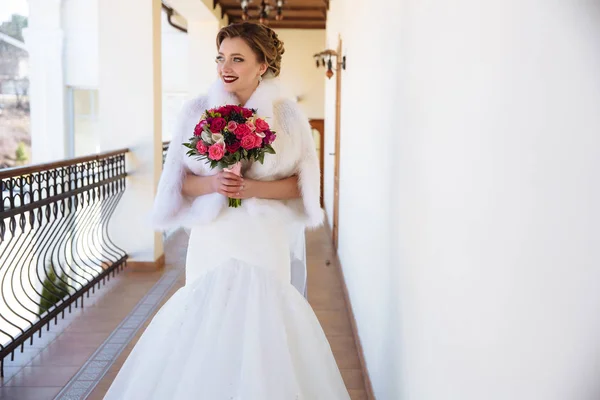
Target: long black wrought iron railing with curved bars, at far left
[{"x": 54, "y": 241}]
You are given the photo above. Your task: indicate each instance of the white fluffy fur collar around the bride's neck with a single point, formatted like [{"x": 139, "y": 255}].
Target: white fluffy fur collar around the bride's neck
[{"x": 264, "y": 97}]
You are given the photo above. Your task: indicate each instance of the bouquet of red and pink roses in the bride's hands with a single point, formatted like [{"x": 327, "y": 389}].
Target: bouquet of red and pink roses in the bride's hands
[{"x": 229, "y": 134}]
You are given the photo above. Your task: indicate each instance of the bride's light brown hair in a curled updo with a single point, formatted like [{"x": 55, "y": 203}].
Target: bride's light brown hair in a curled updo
[{"x": 263, "y": 41}]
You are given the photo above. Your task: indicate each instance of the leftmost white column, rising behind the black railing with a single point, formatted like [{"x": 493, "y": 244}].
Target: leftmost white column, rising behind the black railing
[{"x": 44, "y": 40}]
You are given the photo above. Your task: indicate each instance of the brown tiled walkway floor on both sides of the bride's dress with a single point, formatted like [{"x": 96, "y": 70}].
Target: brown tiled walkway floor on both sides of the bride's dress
[{"x": 43, "y": 371}]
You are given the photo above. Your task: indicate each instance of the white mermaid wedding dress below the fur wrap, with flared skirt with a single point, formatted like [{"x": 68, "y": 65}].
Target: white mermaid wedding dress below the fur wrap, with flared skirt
[{"x": 238, "y": 329}]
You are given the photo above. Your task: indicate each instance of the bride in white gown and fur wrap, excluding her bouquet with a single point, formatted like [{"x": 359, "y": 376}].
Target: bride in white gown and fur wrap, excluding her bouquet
[{"x": 239, "y": 329}]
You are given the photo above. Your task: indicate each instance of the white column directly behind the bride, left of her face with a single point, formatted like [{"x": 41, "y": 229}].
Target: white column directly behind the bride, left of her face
[{"x": 202, "y": 52}]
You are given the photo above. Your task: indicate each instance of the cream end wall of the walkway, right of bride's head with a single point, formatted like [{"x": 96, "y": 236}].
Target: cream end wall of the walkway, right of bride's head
[{"x": 299, "y": 73}]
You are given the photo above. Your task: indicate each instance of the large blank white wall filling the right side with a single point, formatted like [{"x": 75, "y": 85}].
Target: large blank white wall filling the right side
[{"x": 496, "y": 269}]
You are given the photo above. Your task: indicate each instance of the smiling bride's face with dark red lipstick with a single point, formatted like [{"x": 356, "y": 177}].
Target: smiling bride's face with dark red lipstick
[{"x": 237, "y": 66}]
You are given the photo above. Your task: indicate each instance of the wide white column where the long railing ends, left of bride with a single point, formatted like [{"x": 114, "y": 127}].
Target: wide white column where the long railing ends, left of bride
[{"x": 130, "y": 114}]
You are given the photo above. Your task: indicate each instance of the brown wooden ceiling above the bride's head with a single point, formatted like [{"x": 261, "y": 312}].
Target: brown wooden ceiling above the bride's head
[{"x": 297, "y": 14}]
